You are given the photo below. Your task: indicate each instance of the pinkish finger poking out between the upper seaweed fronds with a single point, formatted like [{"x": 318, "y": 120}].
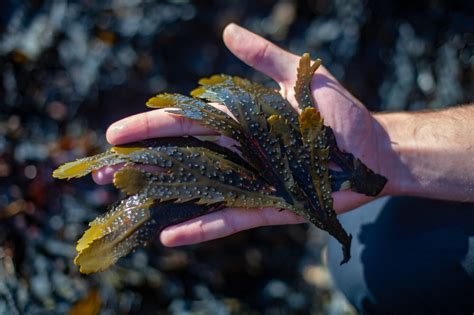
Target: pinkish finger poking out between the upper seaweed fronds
[{"x": 152, "y": 124}]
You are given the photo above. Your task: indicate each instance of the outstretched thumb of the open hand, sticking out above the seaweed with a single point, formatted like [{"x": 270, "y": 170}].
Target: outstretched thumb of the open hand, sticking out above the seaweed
[{"x": 261, "y": 54}]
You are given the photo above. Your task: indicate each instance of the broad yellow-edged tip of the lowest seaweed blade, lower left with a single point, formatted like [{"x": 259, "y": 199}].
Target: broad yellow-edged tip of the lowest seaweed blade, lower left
[{"x": 112, "y": 237}]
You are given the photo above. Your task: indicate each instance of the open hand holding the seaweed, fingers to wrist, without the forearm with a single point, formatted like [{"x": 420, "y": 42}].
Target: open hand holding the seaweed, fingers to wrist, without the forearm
[{"x": 356, "y": 131}]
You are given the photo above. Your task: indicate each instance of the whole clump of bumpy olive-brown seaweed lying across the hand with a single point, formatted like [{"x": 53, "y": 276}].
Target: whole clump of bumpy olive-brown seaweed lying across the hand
[{"x": 281, "y": 160}]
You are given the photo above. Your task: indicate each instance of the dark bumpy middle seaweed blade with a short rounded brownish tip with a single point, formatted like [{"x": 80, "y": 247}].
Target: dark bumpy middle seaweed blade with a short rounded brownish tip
[{"x": 196, "y": 173}]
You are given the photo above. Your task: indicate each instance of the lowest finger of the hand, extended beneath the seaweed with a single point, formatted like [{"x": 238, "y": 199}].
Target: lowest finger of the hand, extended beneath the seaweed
[{"x": 223, "y": 223}]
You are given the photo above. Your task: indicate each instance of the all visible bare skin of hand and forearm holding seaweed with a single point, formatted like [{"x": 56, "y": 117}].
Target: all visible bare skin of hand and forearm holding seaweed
[{"x": 427, "y": 154}]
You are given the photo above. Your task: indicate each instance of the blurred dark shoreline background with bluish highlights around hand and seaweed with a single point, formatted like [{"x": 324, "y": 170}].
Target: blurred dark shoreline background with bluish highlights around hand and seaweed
[{"x": 70, "y": 68}]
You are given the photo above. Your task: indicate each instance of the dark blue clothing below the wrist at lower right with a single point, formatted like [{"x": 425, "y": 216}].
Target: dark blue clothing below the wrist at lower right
[{"x": 409, "y": 256}]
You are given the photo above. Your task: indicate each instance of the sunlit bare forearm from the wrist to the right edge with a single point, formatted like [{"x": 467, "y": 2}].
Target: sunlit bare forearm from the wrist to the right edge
[{"x": 429, "y": 154}]
